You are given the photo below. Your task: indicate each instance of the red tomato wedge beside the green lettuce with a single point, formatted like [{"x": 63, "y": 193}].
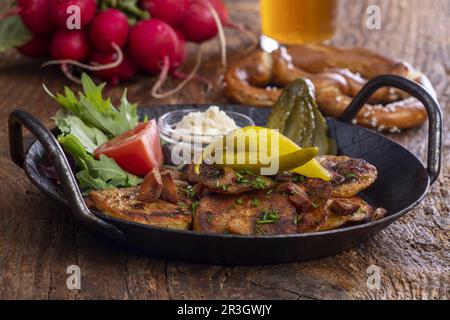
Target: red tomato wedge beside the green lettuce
[{"x": 137, "y": 151}]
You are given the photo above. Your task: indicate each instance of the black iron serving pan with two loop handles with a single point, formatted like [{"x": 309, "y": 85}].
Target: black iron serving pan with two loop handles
[{"x": 402, "y": 183}]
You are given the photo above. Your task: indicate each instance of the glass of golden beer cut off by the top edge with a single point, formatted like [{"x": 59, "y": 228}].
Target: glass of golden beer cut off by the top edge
[{"x": 298, "y": 21}]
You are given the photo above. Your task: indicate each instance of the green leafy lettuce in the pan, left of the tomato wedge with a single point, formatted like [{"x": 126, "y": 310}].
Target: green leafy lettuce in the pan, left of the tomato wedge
[{"x": 87, "y": 122}]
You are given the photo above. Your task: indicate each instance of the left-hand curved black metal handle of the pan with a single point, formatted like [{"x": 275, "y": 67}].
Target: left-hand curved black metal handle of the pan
[{"x": 80, "y": 211}]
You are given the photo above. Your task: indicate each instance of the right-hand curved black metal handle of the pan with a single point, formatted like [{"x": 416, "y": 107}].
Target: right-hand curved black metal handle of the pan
[{"x": 423, "y": 95}]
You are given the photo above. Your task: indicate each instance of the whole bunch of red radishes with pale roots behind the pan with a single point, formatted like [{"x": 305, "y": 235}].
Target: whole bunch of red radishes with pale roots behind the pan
[{"x": 116, "y": 38}]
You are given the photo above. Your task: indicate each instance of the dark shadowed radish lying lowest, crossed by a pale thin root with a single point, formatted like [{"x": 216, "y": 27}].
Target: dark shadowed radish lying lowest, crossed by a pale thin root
[{"x": 125, "y": 70}]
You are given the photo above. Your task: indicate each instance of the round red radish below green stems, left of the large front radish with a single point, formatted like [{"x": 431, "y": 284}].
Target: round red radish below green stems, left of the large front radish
[{"x": 108, "y": 27}]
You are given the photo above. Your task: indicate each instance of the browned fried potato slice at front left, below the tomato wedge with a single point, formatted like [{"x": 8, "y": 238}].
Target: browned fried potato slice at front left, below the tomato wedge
[{"x": 124, "y": 204}]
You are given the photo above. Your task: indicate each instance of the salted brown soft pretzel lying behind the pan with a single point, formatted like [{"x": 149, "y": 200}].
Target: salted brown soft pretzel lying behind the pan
[{"x": 338, "y": 74}]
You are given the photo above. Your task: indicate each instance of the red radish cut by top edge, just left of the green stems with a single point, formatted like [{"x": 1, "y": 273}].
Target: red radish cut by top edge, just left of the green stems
[{"x": 59, "y": 14}]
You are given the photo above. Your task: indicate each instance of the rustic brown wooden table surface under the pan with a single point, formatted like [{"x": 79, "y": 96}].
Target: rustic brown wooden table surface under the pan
[{"x": 39, "y": 240}]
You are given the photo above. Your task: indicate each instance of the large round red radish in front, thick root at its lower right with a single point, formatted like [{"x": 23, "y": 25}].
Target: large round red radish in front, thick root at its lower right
[{"x": 151, "y": 42}]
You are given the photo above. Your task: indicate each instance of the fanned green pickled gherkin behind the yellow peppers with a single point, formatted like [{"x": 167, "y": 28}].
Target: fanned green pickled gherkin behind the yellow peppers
[{"x": 297, "y": 116}]
